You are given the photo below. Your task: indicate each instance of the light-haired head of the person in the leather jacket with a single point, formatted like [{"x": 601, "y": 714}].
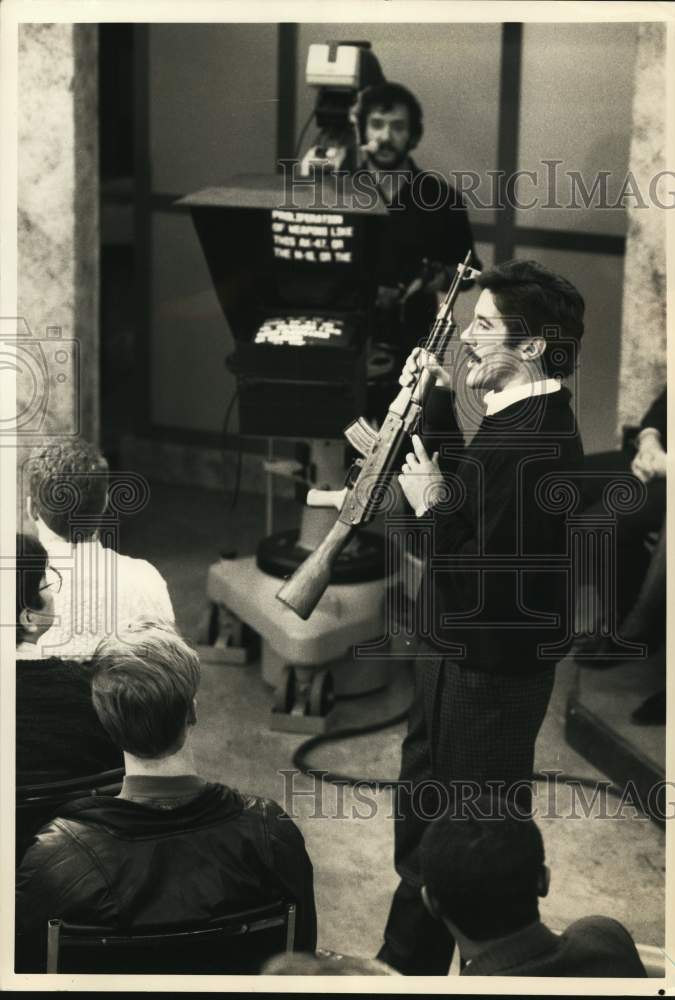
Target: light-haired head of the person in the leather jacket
[{"x": 143, "y": 686}]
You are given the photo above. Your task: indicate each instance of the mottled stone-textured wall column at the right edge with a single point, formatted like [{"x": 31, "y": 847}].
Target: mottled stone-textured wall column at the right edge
[{"x": 643, "y": 339}]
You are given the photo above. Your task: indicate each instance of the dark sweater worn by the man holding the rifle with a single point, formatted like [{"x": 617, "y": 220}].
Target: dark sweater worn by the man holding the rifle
[{"x": 492, "y": 592}]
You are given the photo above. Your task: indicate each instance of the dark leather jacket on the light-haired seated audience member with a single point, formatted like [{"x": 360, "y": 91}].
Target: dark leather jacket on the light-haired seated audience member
[{"x": 121, "y": 864}]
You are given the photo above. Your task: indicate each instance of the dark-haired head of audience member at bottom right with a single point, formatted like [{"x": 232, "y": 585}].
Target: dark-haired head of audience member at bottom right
[{"x": 482, "y": 873}]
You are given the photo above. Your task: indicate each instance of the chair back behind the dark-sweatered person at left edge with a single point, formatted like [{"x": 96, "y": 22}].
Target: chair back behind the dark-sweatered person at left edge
[{"x": 38, "y": 804}]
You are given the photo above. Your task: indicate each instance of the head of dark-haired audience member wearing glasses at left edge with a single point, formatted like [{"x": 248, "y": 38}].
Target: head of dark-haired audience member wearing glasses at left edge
[{"x": 34, "y": 590}]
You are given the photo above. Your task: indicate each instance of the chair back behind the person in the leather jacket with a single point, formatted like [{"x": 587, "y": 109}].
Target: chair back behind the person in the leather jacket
[{"x": 236, "y": 943}]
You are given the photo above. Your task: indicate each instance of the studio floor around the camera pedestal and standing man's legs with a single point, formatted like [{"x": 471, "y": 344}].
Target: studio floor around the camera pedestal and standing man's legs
[{"x": 600, "y": 865}]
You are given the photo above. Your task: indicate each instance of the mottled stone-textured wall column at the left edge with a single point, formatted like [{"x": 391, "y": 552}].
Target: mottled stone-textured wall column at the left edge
[{"x": 58, "y": 233}]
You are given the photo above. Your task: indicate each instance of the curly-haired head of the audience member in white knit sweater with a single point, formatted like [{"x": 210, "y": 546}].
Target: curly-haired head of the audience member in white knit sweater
[{"x": 69, "y": 488}]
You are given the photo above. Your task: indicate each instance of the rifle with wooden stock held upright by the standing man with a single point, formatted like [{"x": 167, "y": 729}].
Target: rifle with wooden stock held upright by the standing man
[{"x": 367, "y": 480}]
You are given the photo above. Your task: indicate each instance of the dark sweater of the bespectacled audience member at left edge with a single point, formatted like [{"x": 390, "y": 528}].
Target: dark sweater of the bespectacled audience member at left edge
[{"x": 58, "y": 734}]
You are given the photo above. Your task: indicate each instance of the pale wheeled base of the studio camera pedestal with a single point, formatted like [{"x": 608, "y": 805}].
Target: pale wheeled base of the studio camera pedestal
[{"x": 347, "y": 614}]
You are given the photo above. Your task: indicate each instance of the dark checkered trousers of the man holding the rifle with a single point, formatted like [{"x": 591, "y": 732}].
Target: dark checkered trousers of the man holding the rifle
[{"x": 464, "y": 726}]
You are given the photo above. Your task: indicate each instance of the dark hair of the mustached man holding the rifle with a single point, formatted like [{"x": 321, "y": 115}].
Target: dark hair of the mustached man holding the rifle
[{"x": 535, "y": 302}]
